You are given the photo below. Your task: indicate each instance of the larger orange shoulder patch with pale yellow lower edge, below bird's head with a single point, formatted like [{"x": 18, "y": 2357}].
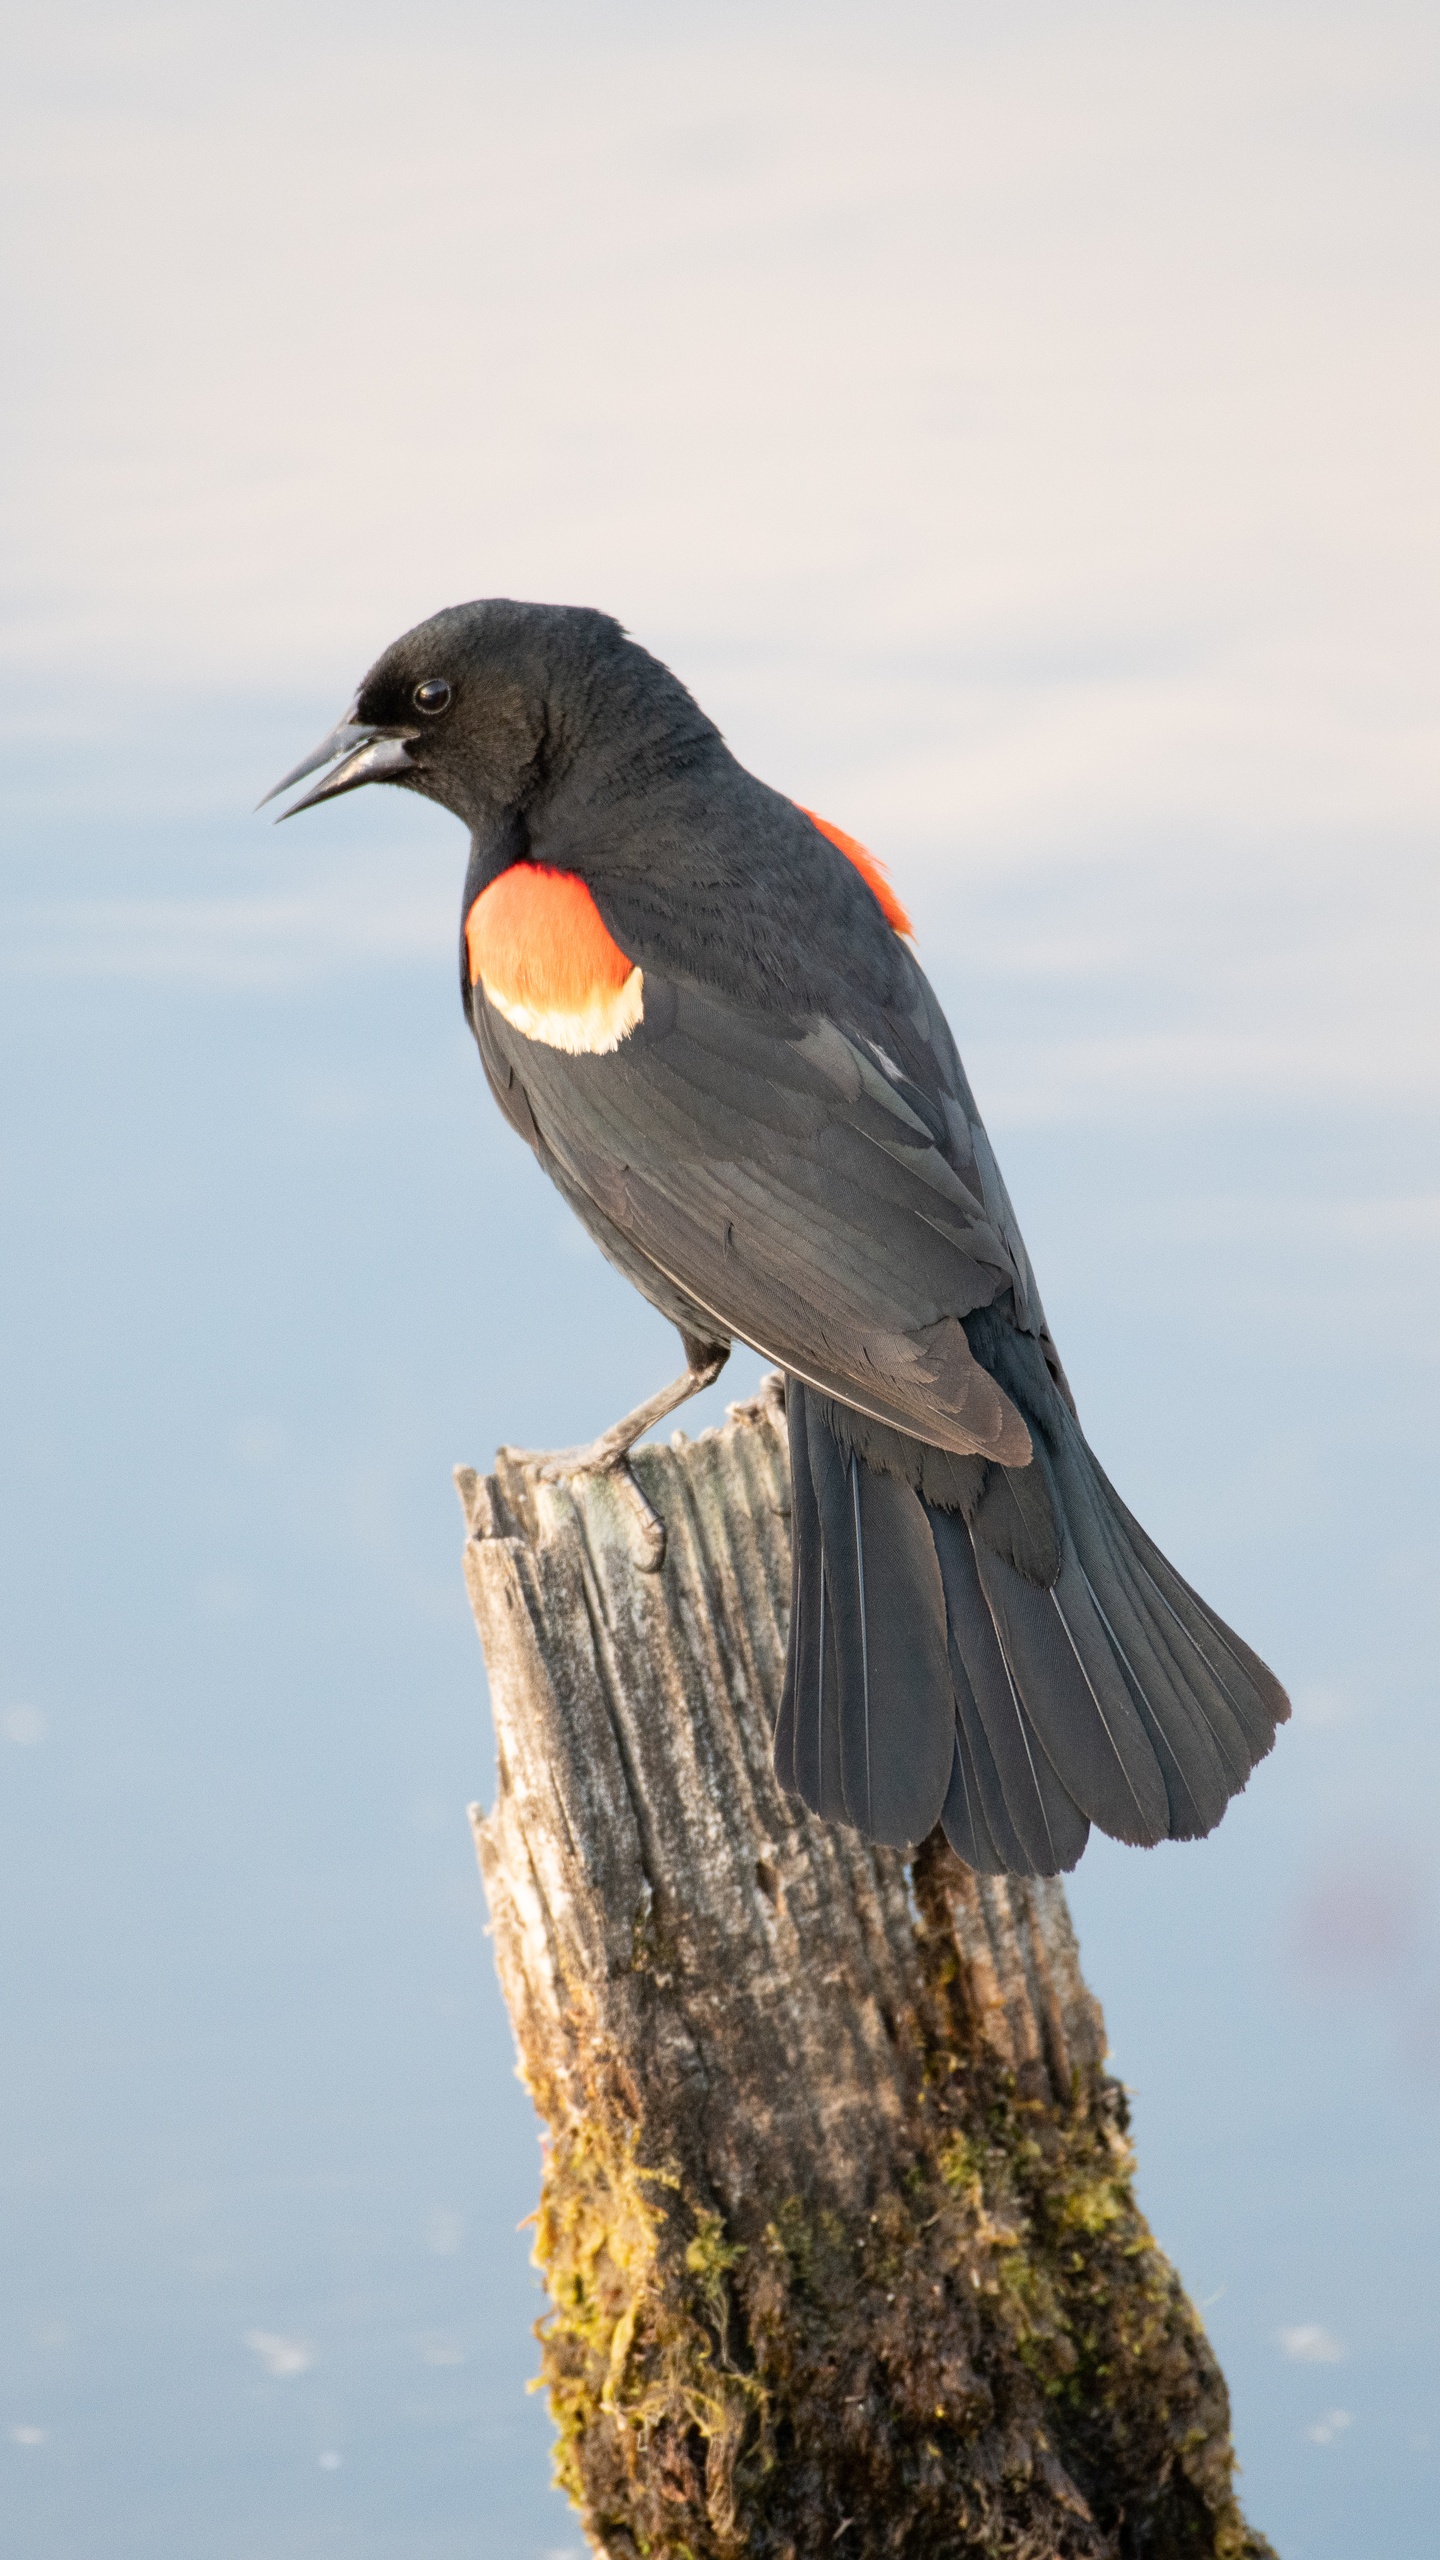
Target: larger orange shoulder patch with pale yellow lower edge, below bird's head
[{"x": 544, "y": 959}]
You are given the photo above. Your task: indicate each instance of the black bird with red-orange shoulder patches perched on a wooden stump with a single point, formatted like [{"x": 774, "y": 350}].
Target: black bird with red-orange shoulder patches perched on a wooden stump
[{"x": 701, "y": 1007}]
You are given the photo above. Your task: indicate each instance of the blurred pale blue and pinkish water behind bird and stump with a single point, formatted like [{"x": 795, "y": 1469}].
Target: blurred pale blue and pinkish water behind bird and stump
[{"x": 1019, "y": 426}]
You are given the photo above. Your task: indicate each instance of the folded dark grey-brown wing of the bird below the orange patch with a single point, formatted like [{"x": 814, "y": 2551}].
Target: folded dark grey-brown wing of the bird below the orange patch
[{"x": 821, "y": 1192}]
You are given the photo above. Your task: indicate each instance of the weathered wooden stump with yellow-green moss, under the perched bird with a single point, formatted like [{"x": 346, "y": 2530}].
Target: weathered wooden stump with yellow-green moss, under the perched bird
[{"x": 837, "y": 2216}]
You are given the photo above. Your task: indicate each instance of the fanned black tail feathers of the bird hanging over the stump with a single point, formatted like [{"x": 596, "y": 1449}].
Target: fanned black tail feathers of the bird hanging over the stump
[{"x": 1016, "y": 1668}]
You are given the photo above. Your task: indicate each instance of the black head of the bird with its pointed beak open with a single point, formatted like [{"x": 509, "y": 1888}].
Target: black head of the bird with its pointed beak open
[{"x": 488, "y": 703}]
